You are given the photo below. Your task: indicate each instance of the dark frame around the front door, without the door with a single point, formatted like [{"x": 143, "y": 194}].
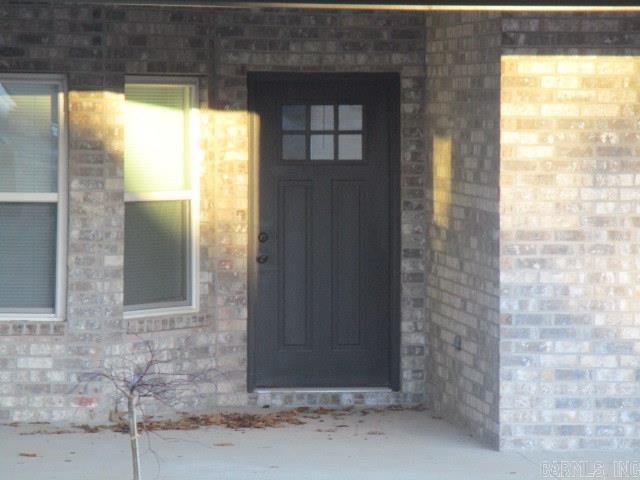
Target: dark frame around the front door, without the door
[{"x": 391, "y": 80}]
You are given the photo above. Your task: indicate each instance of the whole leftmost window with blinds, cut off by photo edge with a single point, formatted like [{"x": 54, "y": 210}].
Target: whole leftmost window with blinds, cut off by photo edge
[{"x": 32, "y": 197}]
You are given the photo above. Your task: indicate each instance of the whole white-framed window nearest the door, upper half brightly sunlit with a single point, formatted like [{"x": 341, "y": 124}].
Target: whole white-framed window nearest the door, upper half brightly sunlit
[{"x": 160, "y": 176}]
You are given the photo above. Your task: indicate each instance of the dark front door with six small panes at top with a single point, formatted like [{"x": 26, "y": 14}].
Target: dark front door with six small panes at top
[{"x": 321, "y": 304}]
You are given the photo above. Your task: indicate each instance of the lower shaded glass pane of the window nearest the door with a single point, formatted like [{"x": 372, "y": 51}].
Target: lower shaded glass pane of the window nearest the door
[{"x": 156, "y": 253}]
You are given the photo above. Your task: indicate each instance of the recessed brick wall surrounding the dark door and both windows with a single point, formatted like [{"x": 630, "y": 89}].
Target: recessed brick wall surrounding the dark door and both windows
[{"x": 95, "y": 47}]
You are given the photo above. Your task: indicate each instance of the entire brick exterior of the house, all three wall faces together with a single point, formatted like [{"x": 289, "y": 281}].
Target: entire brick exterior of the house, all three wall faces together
[{"x": 565, "y": 216}]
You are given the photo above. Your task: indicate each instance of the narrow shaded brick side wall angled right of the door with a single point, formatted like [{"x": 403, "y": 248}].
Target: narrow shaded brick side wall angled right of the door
[{"x": 462, "y": 282}]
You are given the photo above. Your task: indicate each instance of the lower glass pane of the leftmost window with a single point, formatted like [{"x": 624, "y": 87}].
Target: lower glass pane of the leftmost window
[{"x": 27, "y": 257}]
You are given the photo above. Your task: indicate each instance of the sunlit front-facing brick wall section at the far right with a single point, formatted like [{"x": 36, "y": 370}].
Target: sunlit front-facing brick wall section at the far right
[{"x": 570, "y": 349}]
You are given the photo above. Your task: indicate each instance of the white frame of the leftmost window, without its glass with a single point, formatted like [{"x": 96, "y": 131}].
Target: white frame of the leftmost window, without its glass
[{"x": 60, "y": 198}]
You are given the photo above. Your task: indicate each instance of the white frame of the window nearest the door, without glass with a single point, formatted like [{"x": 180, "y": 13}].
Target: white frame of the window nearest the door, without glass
[{"x": 193, "y": 195}]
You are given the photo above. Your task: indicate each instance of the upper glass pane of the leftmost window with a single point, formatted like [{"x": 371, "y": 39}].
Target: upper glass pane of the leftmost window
[{"x": 29, "y": 133}]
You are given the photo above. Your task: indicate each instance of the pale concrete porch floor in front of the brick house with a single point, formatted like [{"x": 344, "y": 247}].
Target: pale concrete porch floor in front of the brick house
[{"x": 386, "y": 445}]
